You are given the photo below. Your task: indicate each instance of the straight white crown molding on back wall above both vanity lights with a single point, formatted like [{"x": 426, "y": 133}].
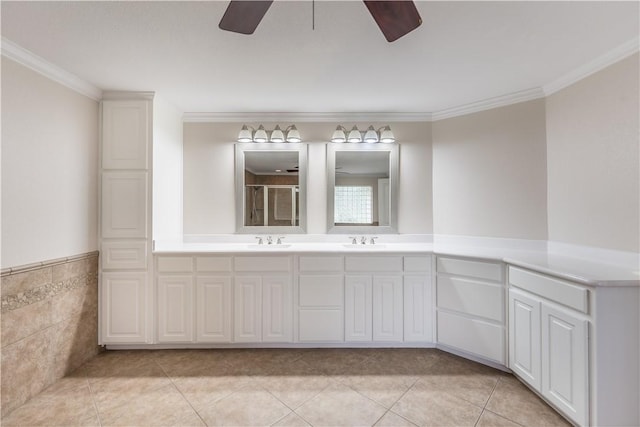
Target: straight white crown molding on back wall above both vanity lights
[{"x": 305, "y": 117}]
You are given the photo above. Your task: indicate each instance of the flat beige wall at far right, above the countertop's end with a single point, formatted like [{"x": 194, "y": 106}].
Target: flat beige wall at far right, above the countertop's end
[{"x": 593, "y": 160}]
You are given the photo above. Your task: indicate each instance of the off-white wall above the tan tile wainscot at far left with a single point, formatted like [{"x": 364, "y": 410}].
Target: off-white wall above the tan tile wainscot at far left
[{"x": 49, "y": 169}]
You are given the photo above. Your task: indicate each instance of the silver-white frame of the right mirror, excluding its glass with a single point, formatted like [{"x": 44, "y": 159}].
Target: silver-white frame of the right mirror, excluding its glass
[{"x": 394, "y": 167}]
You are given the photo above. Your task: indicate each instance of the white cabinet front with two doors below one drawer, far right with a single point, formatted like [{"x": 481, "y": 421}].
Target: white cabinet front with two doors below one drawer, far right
[{"x": 548, "y": 339}]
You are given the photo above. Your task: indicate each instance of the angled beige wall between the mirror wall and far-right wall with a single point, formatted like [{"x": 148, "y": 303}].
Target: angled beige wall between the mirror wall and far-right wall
[{"x": 489, "y": 173}]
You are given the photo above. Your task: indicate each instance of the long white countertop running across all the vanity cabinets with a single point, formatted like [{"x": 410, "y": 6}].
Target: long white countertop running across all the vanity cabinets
[{"x": 589, "y": 266}]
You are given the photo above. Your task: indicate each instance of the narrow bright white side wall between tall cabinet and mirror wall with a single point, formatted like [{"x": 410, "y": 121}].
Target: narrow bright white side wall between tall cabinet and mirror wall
[{"x": 167, "y": 170}]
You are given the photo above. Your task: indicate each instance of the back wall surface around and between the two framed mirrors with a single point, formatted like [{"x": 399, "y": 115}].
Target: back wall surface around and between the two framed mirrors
[{"x": 209, "y": 175}]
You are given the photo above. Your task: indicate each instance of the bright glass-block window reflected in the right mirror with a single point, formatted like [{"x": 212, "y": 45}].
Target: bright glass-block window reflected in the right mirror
[{"x": 354, "y": 204}]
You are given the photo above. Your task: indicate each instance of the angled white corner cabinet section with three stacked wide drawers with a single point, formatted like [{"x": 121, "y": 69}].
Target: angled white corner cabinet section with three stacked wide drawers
[{"x": 470, "y": 307}]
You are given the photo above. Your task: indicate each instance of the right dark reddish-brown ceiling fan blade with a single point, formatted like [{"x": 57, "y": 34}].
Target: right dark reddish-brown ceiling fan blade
[{"x": 395, "y": 18}]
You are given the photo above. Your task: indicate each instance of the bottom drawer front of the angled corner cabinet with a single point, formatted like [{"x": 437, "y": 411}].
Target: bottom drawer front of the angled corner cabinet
[{"x": 471, "y": 335}]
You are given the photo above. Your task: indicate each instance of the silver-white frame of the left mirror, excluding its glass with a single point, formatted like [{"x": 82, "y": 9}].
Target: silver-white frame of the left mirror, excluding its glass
[{"x": 241, "y": 149}]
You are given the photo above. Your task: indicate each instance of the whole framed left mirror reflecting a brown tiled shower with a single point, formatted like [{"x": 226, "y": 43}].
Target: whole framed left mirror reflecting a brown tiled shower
[{"x": 271, "y": 188}]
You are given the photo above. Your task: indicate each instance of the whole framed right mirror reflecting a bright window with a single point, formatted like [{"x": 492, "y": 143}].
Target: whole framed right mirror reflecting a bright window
[{"x": 362, "y": 188}]
